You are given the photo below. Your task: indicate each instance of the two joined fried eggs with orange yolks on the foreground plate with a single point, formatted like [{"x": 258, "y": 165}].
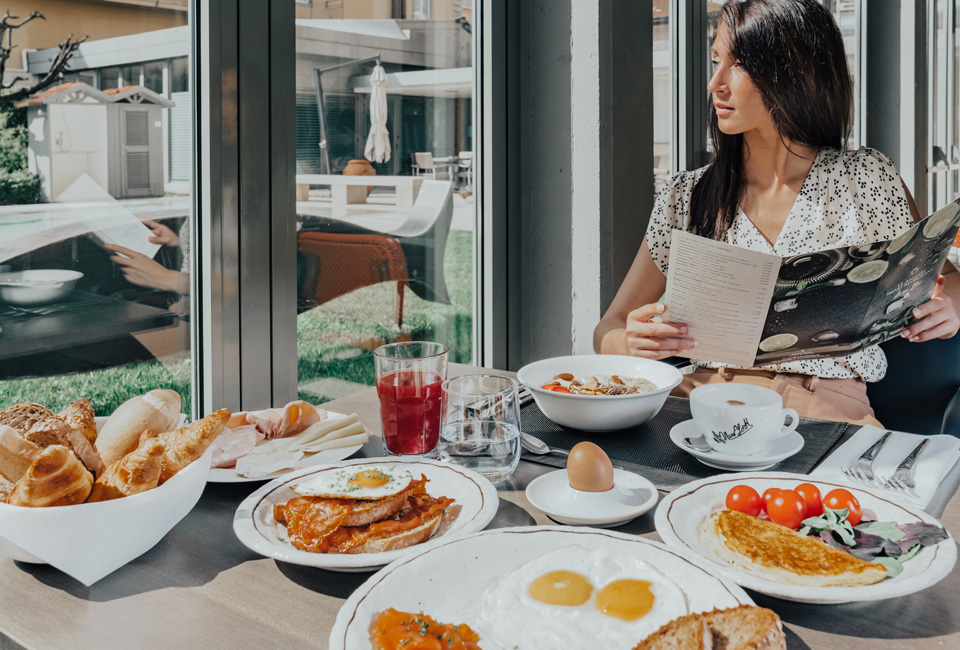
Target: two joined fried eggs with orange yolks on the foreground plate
[{"x": 513, "y": 614}]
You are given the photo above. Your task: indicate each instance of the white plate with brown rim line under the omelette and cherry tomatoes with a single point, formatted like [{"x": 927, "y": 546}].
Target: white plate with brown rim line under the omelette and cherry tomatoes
[{"x": 681, "y": 513}]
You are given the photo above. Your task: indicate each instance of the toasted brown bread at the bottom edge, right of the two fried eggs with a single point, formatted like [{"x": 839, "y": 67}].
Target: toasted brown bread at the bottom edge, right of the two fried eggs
[{"x": 740, "y": 628}]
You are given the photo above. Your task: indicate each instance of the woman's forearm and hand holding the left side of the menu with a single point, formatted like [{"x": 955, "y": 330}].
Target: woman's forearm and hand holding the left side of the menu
[{"x": 627, "y": 326}]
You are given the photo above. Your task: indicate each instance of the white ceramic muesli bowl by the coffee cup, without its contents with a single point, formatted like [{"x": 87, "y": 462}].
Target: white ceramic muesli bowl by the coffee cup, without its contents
[{"x": 600, "y": 412}]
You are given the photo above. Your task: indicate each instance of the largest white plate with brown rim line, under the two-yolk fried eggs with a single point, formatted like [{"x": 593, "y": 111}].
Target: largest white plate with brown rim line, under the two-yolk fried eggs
[{"x": 446, "y": 580}]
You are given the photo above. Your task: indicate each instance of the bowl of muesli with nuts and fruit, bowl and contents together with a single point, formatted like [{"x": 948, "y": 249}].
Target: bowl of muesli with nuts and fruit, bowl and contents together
[{"x": 600, "y": 392}]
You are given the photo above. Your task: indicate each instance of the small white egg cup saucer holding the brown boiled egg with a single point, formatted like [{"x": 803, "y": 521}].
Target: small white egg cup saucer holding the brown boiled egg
[{"x": 631, "y": 496}]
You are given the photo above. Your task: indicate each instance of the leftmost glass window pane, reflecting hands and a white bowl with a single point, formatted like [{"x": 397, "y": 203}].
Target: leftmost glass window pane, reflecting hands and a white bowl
[{"x": 78, "y": 177}]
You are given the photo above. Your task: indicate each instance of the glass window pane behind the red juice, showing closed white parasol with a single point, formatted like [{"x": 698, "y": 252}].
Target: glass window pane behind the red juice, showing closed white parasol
[{"x": 392, "y": 260}]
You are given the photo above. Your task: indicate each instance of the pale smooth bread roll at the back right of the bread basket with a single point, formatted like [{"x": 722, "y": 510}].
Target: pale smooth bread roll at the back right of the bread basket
[{"x": 159, "y": 409}]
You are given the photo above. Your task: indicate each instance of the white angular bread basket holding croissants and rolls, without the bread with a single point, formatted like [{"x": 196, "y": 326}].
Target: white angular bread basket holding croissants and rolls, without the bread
[{"x": 91, "y": 540}]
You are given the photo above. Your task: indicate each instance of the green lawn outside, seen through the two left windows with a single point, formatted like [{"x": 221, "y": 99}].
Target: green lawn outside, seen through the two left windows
[{"x": 335, "y": 340}]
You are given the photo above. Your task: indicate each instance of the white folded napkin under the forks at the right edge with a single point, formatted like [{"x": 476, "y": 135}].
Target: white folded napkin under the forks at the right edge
[{"x": 932, "y": 466}]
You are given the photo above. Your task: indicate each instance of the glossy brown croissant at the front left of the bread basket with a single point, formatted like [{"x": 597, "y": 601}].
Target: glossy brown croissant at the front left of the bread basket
[{"x": 56, "y": 478}]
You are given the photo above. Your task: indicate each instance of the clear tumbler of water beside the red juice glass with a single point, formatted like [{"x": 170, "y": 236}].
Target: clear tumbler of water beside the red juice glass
[{"x": 481, "y": 424}]
